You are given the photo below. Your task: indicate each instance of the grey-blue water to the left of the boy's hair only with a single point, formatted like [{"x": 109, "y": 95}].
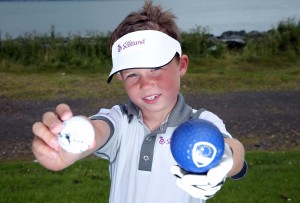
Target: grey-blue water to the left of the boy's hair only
[{"x": 66, "y": 16}]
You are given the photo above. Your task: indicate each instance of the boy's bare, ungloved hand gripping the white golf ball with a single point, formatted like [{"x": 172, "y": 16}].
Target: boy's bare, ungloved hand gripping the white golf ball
[{"x": 45, "y": 145}]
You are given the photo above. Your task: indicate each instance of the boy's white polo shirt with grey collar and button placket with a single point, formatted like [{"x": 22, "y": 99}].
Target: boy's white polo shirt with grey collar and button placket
[{"x": 140, "y": 160}]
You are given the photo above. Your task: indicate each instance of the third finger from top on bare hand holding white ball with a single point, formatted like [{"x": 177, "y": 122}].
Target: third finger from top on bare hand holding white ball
[{"x": 43, "y": 133}]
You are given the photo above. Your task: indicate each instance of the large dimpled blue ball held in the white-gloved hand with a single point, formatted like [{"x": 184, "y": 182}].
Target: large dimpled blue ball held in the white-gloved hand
[{"x": 197, "y": 145}]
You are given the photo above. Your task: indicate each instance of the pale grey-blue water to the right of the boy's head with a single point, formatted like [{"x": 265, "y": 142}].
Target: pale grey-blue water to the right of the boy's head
[{"x": 219, "y": 16}]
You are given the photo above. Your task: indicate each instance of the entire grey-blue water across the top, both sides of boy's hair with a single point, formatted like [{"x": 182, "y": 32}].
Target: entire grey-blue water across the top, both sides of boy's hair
[{"x": 86, "y": 17}]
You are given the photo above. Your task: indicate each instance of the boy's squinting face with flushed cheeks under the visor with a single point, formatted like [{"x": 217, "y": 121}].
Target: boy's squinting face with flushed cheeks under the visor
[{"x": 155, "y": 90}]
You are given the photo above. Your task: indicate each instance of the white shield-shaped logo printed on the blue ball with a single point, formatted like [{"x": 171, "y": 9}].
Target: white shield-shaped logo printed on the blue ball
[{"x": 203, "y": 153}]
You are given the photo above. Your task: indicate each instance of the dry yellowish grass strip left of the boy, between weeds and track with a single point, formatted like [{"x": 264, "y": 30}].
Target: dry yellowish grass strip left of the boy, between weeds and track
[{"x": 45, "y": 86}]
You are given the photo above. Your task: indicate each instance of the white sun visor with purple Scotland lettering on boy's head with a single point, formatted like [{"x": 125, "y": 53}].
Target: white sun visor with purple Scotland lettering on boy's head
[{"x": 143, "y": 49}]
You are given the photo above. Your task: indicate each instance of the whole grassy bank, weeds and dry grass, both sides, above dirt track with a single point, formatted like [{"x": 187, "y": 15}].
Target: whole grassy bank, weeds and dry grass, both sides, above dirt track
[{"x": 50, "y": 66}]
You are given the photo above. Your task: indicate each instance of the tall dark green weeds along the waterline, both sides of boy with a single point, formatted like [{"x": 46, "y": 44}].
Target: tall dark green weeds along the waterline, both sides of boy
[{"x": 51, "y": 52}]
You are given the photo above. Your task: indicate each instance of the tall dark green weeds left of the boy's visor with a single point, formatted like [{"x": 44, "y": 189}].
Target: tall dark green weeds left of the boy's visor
[{"x": 57, "y": 53}]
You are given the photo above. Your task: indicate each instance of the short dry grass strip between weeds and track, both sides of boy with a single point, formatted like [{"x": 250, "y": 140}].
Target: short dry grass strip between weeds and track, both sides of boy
[{"x": 209, "y": 79}]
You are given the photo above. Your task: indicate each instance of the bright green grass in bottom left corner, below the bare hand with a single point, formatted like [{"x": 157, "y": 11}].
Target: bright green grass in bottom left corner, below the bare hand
[{"x": 85, "y": 181}]
